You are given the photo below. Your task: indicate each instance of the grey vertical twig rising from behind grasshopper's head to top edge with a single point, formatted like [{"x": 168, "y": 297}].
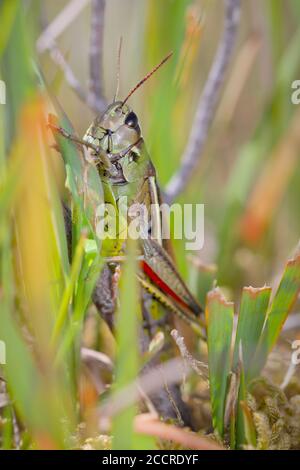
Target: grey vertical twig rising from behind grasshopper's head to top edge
[{"x": 96, "y": 55}]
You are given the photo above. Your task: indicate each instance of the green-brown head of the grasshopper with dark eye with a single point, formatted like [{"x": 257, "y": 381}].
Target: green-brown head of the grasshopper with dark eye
[{"x": 115, "y": 131}]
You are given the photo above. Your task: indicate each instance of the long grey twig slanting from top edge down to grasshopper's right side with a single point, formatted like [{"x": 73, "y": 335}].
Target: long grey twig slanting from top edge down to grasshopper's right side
[{"x": 208, "y": 102}]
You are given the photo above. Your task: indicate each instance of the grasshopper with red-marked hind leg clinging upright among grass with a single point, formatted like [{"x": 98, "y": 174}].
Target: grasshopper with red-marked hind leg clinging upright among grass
[{"x": 125, "y": 169}]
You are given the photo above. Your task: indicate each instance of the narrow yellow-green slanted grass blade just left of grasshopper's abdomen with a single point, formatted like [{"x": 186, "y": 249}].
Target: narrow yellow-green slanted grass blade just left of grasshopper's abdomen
[{"x": 69, "y": 290}]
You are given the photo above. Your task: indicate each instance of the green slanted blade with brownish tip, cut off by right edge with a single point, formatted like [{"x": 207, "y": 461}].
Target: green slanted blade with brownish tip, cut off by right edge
[{"x": 283, "y": 302}]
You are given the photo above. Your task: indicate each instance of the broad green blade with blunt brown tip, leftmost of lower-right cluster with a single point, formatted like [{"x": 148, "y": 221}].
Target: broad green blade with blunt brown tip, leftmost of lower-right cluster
[{"x": 219, "y": 319}]
